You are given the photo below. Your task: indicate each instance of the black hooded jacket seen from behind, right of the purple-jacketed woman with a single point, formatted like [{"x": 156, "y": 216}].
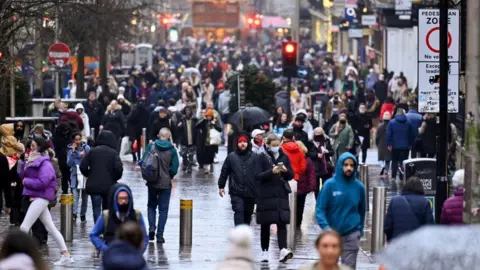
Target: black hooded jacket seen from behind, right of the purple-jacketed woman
[{"x": 102, "y": 165}]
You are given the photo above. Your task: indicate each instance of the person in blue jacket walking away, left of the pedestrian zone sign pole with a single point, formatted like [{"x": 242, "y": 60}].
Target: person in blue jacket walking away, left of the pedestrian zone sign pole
[{"x": 400, "y": 139}]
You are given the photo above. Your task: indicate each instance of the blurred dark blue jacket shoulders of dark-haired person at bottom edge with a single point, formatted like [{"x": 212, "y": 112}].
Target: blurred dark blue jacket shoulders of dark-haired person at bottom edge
[{"x": 122, "y": 255}]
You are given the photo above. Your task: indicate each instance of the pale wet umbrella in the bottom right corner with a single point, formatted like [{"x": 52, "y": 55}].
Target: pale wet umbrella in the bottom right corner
[{"x": 434, "y": 248}]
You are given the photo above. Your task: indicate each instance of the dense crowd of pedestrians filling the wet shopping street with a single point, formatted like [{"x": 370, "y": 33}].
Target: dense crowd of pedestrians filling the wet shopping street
[{"x": 310, "y": 148}]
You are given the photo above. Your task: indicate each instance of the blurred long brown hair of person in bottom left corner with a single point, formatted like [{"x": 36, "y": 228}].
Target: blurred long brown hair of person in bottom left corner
[{"x": 18, "y": 242}]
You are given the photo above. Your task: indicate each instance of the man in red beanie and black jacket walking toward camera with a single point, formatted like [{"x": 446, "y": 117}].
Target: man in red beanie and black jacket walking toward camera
[{"x": 239, "y": 168}]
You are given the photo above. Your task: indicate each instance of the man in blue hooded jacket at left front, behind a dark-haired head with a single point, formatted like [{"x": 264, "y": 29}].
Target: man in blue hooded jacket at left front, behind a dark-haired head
[{"x": 120, "y": 210}]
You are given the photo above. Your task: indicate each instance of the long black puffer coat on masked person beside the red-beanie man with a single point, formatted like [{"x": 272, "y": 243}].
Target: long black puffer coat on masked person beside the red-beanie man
[{"x": 272, "y": 203}]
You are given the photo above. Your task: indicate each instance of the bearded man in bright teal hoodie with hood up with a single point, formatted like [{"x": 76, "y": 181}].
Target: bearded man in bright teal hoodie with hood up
[{"x": 341, "y": 207}]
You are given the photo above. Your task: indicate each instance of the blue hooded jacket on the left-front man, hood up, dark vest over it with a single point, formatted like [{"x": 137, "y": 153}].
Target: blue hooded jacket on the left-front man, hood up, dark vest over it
[{"x": 99, "y": 227}]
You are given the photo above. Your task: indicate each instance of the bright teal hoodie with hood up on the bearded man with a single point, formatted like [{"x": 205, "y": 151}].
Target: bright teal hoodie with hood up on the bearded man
[{"x": 341, "y": 204}]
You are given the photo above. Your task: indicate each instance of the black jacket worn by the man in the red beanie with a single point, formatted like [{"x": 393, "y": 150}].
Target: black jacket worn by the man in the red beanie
[{"x": 240, "y": 169}]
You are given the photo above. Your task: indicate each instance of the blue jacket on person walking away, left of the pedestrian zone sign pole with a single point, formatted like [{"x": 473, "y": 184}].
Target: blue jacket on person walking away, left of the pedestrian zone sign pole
[{"x": 400, "y": 133}]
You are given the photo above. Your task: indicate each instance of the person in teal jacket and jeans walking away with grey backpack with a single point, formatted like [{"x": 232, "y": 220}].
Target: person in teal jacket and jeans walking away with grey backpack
[{"x": 159, "y": 192}]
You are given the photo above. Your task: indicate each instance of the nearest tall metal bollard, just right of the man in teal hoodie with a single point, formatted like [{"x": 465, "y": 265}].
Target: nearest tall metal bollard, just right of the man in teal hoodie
[{"x": 379, "y": 205}]
